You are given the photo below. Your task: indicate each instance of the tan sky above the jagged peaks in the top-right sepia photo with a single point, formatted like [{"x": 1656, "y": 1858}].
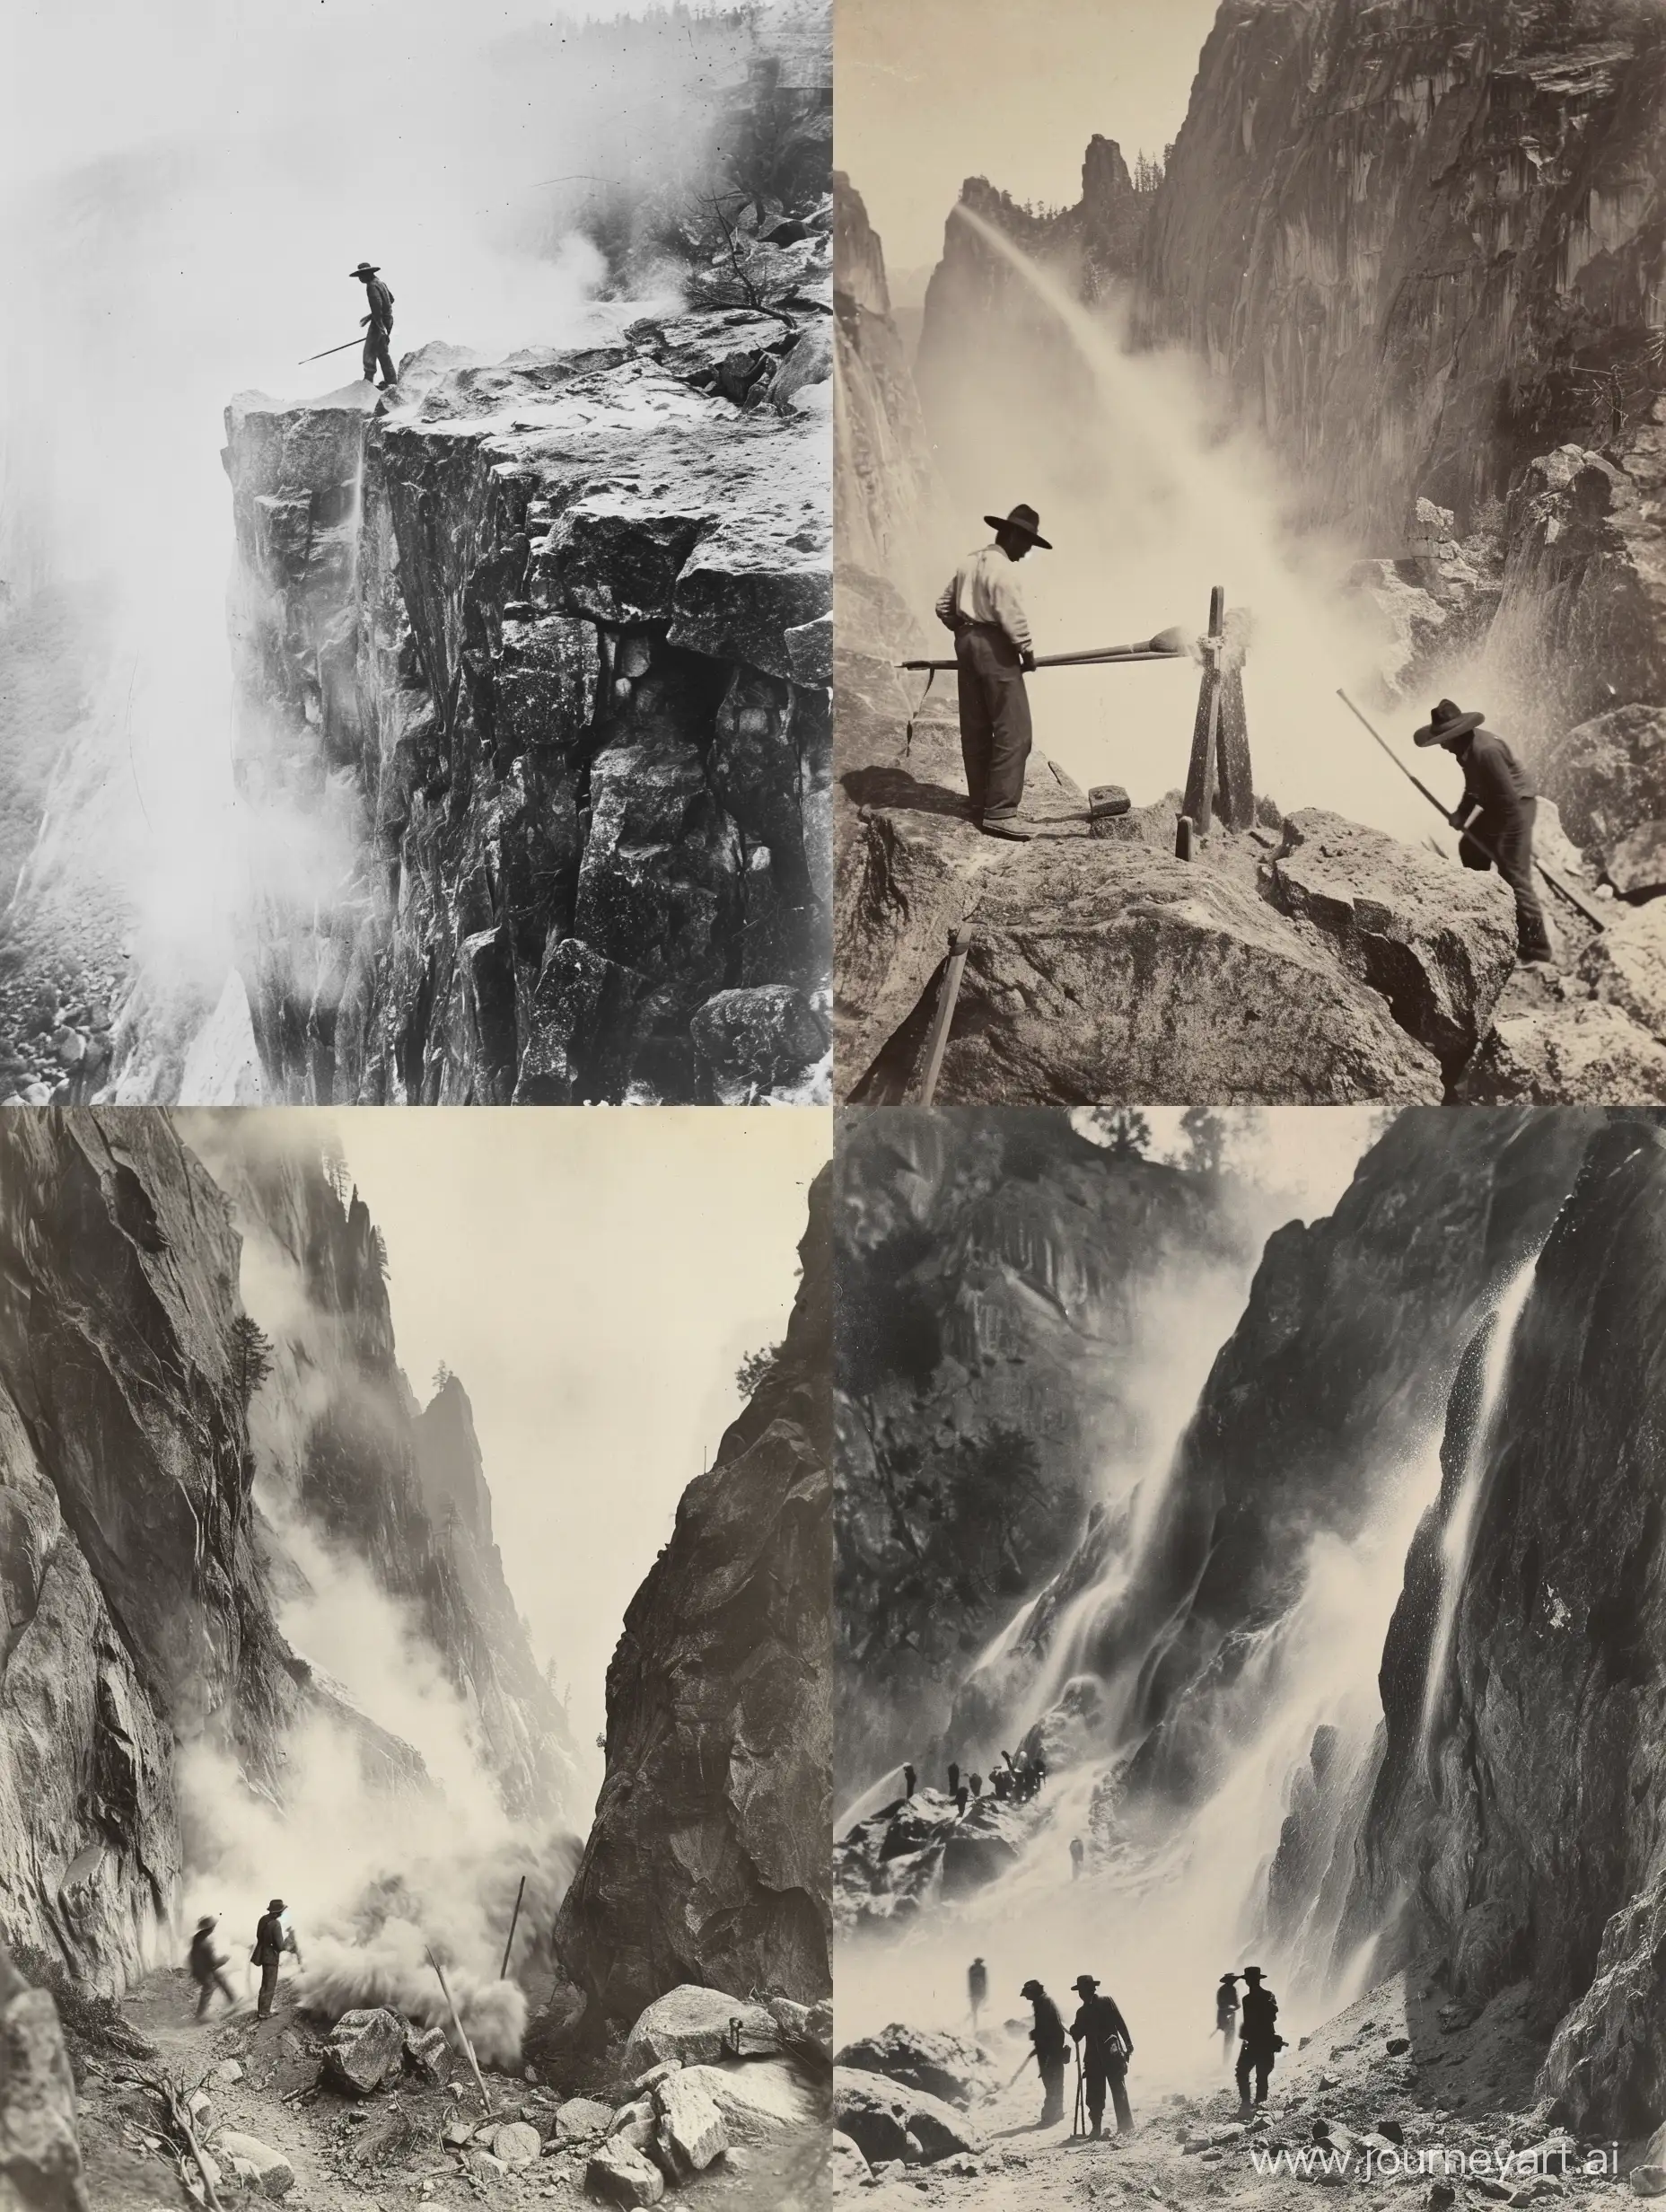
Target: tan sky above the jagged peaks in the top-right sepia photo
[{"x": 933, "y": 92}]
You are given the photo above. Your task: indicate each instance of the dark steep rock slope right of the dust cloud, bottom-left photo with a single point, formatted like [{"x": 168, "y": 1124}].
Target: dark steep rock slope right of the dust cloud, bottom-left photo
[{"x": 709, "y": 1853}]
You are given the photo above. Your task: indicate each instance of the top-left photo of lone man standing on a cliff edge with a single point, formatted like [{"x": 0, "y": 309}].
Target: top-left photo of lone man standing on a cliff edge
[{"x": 415, "y": 554}]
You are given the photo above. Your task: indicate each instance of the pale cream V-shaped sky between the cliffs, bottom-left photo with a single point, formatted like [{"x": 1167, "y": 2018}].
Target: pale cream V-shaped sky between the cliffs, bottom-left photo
[{"x": 594, "y": 1277}]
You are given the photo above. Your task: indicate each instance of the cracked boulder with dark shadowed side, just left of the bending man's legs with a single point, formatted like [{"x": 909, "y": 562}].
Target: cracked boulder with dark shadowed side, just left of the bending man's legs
[{"x": 1433, "y": 937}]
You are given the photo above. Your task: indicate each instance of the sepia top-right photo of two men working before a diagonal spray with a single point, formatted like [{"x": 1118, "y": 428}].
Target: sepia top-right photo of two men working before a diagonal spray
[{"x": 1249, "y": 552}]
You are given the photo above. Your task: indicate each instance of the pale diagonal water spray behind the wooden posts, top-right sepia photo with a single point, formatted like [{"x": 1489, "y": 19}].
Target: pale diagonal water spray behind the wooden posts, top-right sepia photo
[{"x": 1149, "y": 501}]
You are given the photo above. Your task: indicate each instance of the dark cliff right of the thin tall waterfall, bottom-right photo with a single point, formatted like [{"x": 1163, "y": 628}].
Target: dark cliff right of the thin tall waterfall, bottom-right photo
[{"x": 1528, "y": 1828}]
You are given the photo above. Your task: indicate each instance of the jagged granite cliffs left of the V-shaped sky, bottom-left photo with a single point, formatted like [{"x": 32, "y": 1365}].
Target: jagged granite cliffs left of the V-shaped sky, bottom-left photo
[{"x": 138, "y": 1574}]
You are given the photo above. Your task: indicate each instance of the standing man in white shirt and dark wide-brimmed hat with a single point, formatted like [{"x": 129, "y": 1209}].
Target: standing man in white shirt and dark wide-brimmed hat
[{"x": 992, "y": 651}]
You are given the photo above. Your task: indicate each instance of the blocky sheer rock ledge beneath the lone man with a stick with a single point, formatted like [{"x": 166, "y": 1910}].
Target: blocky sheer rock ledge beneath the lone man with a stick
[{"x": 532, "y": 724}]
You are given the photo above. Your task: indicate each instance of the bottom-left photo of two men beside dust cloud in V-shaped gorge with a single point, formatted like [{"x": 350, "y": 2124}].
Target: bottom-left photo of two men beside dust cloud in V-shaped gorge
[{"x": 415, "y": 1662}]
